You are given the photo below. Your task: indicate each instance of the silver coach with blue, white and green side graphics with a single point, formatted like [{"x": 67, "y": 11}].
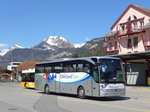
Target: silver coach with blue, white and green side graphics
[{"x": 89, "y": 76}]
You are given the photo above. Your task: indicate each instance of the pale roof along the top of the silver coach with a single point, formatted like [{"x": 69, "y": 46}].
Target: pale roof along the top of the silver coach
[{"x": 89, "y": 59}]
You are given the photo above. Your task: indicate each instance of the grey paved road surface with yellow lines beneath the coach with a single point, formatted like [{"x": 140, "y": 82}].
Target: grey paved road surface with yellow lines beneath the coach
[{"x": 14, "y": 98}]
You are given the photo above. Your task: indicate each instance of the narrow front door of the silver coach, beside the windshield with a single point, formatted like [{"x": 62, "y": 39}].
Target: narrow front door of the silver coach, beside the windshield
[{"x": 95, "y": 81}]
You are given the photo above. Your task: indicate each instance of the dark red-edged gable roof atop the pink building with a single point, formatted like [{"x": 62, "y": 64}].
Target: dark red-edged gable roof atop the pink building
[{"x": 143, "y": 10}]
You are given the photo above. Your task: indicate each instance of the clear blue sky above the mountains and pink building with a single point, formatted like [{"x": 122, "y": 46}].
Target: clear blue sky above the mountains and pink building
[{"x": 28, "y": 22}]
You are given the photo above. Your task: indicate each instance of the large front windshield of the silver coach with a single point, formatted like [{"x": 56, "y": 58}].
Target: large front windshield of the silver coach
[{"x": 111, "y": 71}]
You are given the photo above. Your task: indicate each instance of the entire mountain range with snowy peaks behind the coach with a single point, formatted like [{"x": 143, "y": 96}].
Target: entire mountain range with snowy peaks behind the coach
[{"x": 50, "y": 48}]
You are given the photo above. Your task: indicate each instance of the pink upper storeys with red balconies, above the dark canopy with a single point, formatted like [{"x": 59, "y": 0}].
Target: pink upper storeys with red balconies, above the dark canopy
[{"x": 130, "y": 33}]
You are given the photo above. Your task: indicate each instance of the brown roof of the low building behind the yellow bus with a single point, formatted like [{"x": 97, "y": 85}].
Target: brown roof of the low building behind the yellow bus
[{"x": 27, "y": 65}]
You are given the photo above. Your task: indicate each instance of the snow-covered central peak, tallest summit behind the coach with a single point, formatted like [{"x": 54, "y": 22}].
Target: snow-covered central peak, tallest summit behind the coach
[{"x": 54, "y": 42}]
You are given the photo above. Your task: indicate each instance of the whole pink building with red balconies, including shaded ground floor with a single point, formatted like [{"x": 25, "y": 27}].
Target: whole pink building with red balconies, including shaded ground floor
[{"x": 130, "y": 41}]
